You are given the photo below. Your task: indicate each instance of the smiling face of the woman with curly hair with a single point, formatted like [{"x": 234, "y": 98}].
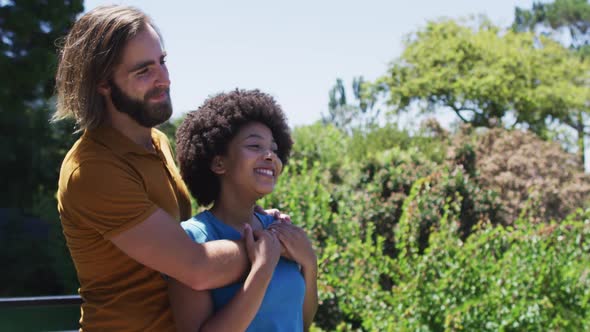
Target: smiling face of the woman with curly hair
[{"x": 251, "y": 165}]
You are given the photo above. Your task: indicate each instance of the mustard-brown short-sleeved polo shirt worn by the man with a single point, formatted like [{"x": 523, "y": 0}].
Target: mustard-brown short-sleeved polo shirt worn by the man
[{"x": 109, "y": 184}]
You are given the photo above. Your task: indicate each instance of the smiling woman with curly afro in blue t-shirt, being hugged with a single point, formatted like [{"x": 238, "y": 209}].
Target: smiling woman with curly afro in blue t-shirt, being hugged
[{"x": 231, "y": 152}]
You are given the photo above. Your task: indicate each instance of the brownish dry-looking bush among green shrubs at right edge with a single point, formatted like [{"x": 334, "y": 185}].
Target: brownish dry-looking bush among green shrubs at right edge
[{"x": 534, "y": 178}]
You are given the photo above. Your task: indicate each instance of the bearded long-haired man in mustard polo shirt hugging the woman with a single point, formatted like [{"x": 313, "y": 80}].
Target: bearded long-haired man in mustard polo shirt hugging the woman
[{"x": 120, "y": 195}]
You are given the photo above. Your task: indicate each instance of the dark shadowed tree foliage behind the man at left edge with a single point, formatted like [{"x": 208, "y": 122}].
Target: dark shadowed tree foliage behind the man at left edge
[{"x": 32, "y": 149}]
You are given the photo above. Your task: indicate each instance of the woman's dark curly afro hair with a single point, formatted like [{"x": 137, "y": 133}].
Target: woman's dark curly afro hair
[{"x": 206, "y": 133}]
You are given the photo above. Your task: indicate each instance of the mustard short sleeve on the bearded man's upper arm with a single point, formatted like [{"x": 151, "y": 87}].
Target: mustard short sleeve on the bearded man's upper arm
[{"x": 107, "y": 196}]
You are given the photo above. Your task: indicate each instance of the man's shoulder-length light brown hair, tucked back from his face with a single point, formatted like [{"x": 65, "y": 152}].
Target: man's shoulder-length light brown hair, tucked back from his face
[{"x": 87, "y": 57}]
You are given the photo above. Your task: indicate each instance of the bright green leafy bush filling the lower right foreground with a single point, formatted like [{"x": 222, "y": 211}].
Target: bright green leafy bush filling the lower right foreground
[{"x": 534, "y": 279}]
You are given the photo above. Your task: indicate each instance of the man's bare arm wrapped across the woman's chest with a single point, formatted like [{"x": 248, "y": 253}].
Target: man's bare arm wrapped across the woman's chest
[{"x": 160, "y": 243}]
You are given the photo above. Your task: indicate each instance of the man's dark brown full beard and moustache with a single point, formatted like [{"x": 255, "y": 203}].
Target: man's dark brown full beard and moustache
[{"x": 140, "y": 110}]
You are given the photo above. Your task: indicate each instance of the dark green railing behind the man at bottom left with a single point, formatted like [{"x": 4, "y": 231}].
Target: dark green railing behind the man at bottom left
[{"x": 41, "y": 313}]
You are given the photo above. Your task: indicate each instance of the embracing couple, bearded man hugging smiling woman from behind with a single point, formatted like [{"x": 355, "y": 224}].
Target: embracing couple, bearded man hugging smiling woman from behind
[{"x": 144, "y": 264}]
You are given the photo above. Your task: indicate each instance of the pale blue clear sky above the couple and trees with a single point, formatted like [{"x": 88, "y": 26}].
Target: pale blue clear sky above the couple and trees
[{"x": 293, "y": 50}]
